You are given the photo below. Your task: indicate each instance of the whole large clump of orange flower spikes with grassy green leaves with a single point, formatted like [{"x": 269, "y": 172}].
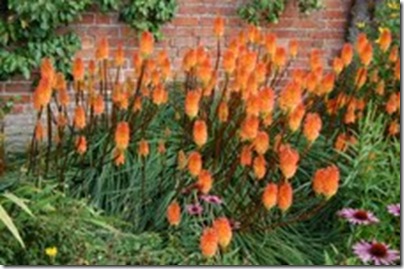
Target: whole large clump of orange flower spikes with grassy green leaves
[{"x": 238, "y": 137}]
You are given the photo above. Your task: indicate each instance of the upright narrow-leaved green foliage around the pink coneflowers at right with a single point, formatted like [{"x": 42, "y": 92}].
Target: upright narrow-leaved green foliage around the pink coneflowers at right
[{"x": 373, "y": 177}]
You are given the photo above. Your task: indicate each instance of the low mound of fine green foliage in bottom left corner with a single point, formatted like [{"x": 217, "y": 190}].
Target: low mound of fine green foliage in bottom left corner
[{"x": 81, "y": 235}]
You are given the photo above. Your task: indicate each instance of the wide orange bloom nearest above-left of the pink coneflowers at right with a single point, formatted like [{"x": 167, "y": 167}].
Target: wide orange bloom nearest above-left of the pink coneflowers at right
[{"x": 326, "y": 181}]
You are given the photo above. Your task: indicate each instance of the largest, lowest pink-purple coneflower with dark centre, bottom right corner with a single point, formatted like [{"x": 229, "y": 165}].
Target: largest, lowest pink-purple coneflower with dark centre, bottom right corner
[{"x": 378, "y": 253}]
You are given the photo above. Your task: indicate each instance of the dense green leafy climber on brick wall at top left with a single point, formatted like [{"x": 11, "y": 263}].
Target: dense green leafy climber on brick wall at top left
[{"x": 28, "y": 29}]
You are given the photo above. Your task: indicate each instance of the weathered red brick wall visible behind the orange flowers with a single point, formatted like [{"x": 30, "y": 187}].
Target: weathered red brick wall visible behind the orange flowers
[{"x": 192, "y": 26}]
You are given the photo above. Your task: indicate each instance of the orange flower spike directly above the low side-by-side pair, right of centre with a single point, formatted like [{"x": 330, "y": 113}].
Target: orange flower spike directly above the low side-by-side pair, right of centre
[{"x": 288, "y": 160}]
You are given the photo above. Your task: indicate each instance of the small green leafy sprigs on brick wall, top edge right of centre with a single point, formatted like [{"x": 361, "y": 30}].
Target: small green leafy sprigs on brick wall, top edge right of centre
[{"x": 268, "y": 11}]
